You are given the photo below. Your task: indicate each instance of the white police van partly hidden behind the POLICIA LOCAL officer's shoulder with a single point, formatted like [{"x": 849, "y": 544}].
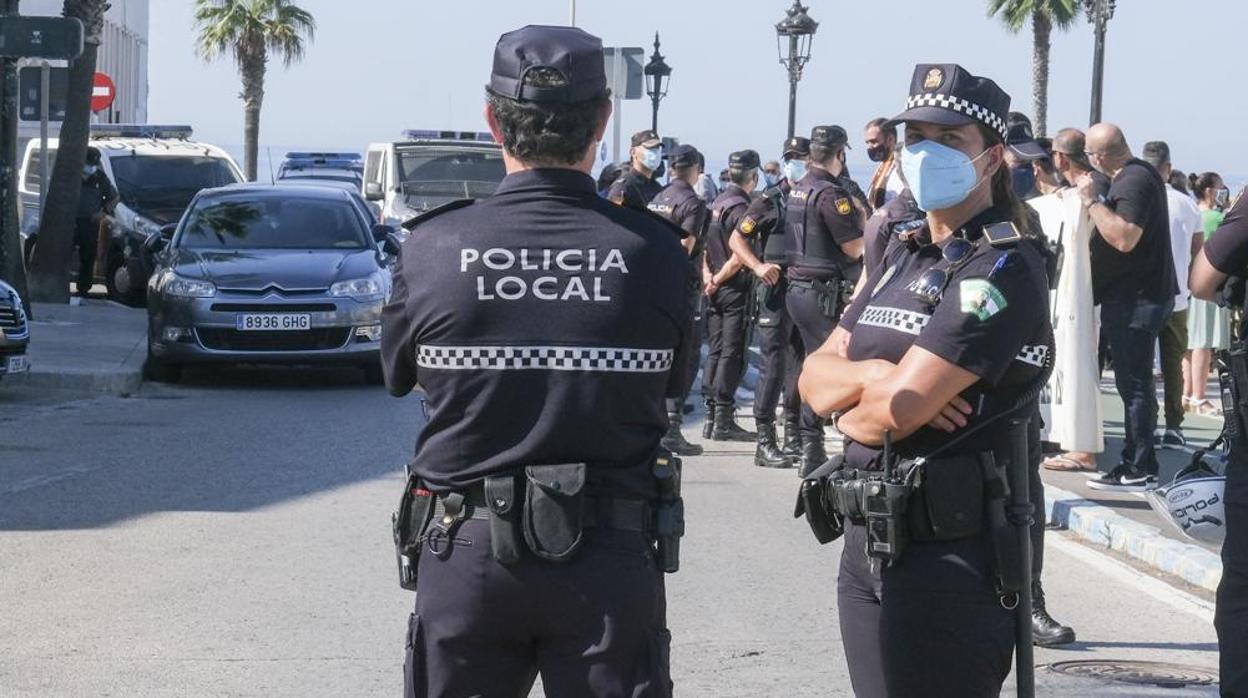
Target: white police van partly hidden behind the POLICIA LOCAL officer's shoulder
[{"x": 429, "y": 169}]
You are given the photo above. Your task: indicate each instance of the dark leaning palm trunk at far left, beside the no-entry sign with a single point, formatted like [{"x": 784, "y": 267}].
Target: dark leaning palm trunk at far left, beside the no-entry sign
[{"x": 51, "y": 260}]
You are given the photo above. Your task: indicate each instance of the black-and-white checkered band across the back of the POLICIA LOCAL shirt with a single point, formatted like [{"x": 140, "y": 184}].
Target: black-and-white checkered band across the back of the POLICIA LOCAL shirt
[{"x": 613, "y": 360}]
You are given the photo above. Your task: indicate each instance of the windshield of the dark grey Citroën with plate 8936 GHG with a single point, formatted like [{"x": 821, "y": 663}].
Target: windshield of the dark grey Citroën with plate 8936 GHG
[{"x": 274, "y": 223}]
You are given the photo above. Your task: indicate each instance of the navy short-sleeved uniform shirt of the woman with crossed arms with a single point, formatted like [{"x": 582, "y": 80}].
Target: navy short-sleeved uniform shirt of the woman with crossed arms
[{"x": 993, "y": 320}]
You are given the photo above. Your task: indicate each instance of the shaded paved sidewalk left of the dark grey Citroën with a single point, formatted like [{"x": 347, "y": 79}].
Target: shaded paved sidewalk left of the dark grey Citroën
[{"x": 98, "y": 347}]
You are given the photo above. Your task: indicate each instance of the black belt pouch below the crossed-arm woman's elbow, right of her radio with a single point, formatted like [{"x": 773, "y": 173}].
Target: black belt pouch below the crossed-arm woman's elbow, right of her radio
[{"x": 948, "y": 503}]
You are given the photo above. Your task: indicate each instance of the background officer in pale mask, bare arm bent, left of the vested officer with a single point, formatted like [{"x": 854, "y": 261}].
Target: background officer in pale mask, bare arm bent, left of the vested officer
[{"x": 781, "y": 348}]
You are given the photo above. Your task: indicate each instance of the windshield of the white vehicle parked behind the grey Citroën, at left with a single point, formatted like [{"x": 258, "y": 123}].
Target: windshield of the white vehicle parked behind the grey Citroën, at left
[{"x": 164, "y": 182}]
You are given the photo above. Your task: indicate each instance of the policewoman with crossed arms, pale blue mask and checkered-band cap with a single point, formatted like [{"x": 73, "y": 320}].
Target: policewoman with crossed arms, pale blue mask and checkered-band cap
[{"x": 948, "y": 334}]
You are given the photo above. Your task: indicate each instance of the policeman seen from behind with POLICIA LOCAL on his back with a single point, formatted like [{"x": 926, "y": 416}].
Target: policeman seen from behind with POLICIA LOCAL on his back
[{"x": 546, "y": 327}]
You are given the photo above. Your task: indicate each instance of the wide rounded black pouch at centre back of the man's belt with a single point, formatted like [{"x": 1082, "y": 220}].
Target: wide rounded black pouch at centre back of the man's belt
[{"x": 553, "y": 516}]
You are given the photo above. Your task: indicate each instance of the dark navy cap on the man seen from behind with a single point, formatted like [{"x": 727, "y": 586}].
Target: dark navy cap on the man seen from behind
[{"x": 568, "y": 63}]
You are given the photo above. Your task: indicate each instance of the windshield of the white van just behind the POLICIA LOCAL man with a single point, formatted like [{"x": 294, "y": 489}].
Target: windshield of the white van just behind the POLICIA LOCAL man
[{"x": 435, "y": 175}]
